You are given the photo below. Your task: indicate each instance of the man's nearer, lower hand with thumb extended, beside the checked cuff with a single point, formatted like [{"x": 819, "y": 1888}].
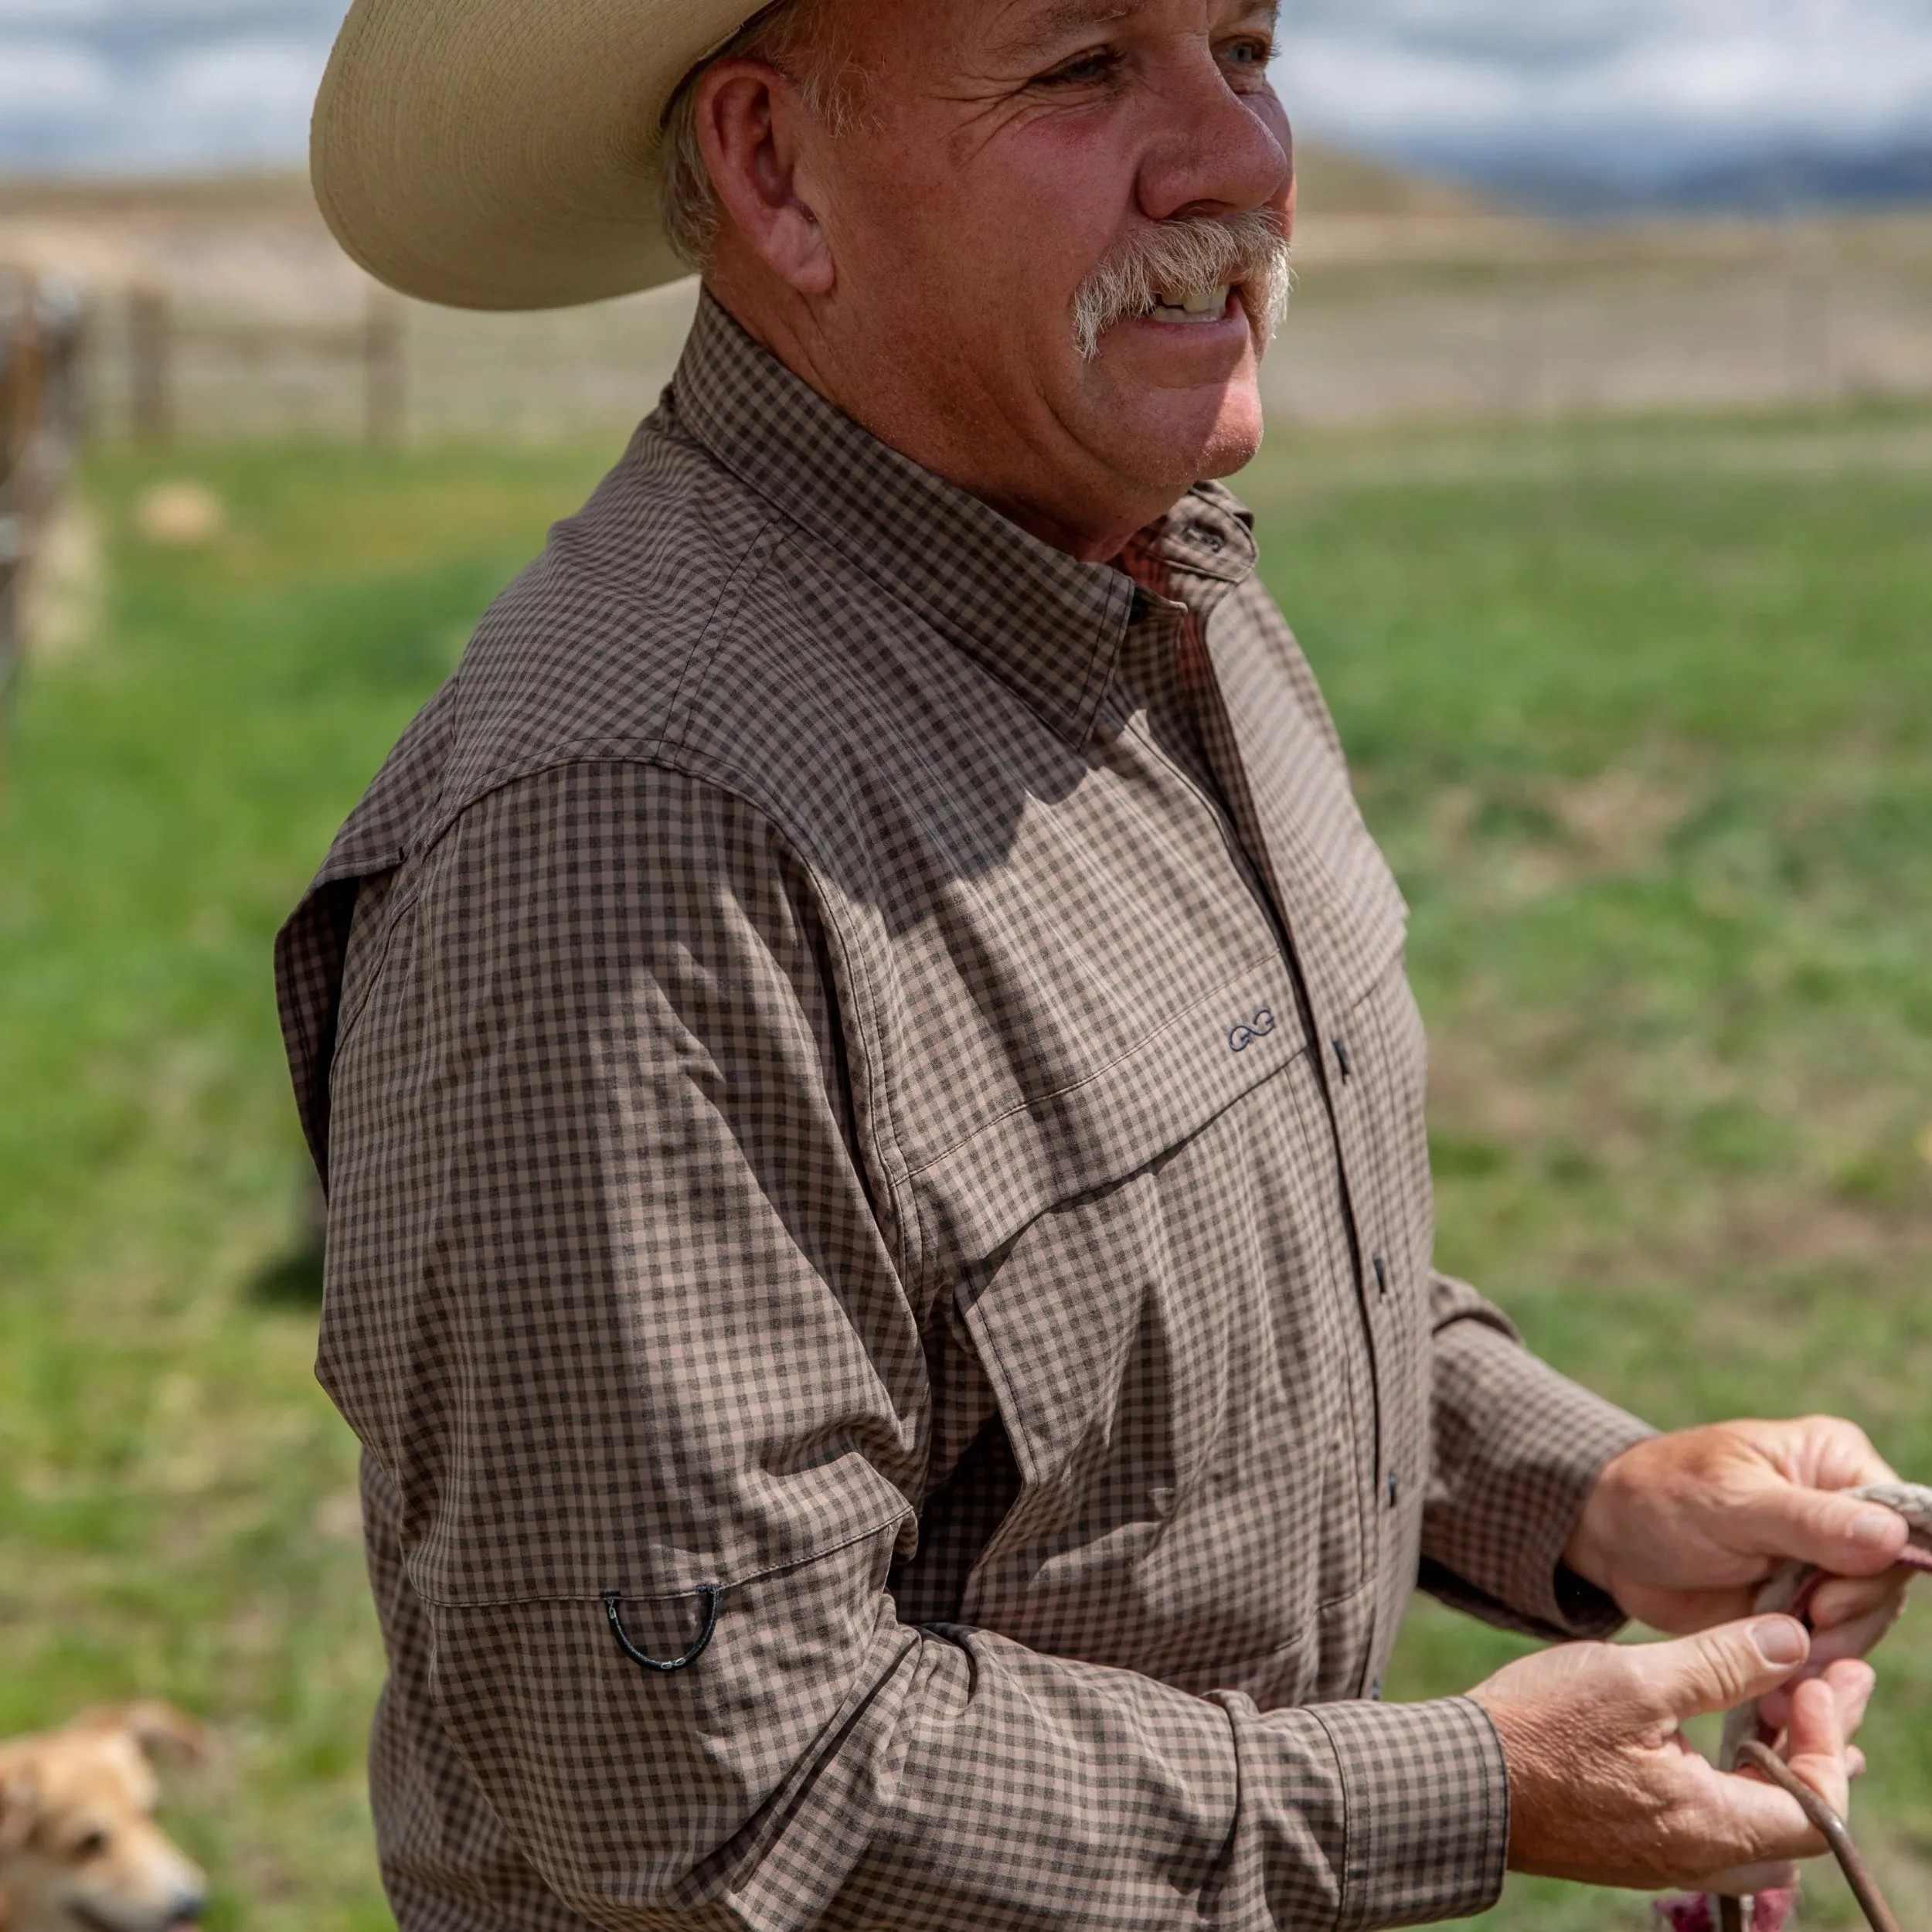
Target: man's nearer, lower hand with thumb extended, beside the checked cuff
[{"x": 1606, "y": 1790}]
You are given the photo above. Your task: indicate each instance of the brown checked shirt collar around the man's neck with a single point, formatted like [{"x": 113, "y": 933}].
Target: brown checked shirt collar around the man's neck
[{"x": 1042, "y": 623}]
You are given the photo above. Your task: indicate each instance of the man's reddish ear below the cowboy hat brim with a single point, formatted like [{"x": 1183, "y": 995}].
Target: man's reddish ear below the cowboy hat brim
[{"x": 756, "y": 132}]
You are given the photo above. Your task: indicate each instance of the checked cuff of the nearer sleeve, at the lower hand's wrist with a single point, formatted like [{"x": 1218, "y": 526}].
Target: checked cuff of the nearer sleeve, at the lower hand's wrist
[{"x": 1425, "y": 1811}]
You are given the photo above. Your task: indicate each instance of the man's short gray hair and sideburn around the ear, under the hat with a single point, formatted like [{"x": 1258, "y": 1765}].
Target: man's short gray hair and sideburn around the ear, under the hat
[{"x": 805, "y": 43}]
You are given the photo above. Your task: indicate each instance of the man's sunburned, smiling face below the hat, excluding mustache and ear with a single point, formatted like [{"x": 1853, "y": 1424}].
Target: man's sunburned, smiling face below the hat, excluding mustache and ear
[{"x": 1009, "y": 148}]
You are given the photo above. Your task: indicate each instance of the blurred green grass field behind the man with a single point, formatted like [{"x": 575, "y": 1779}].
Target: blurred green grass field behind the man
[{"x": 1643, "y": 714}]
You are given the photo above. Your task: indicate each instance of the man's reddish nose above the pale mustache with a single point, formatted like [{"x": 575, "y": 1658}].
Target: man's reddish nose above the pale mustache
[{"x": 1214, "y": 150}]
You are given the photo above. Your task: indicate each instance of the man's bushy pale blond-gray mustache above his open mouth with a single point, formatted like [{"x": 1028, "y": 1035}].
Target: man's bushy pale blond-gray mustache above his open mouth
[{"x": 1193, "y": 252}]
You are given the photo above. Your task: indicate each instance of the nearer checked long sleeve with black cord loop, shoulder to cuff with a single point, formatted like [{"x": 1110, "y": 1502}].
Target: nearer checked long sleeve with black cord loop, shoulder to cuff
[{"x": 613, "y": 1303}]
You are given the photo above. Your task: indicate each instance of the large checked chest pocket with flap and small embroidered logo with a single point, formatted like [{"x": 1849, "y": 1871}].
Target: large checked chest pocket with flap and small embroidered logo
[{"x": 1152, "y": 1274}]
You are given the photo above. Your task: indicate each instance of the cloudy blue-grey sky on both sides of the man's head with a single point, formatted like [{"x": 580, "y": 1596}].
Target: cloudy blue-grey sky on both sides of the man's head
[{"x": 1591, "y": 86}]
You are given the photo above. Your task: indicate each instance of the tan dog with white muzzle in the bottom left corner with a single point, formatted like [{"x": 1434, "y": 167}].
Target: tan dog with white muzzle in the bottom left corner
[{"x": 78, "y": 1842}]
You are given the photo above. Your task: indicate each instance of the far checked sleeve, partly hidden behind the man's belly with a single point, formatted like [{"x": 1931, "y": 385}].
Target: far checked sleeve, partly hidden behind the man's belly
[{"x": 1518, "y": 1450}]
